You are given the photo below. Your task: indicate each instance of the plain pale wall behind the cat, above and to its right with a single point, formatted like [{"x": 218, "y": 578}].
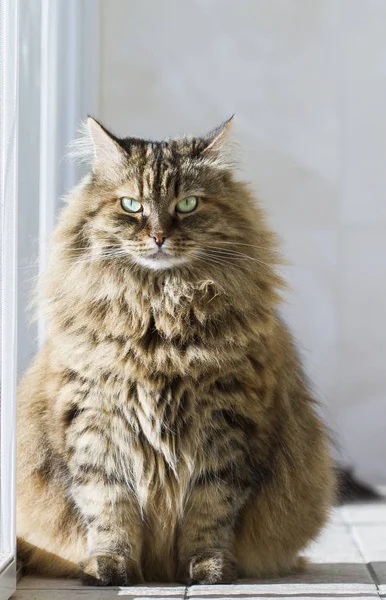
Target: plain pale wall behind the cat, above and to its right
[{"x": 307, "y": 81}]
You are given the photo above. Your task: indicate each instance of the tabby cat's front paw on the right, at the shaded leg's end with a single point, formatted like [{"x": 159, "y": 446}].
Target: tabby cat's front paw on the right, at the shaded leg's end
[{"x": 210, "y": 566}]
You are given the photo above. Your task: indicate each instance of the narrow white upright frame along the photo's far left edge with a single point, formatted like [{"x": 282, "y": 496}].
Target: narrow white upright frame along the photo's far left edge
[{"x": 8, "y": 281}]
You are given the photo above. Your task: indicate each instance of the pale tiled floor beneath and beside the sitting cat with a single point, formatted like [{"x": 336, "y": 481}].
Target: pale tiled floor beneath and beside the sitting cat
[{"x": 347, "y": 562}]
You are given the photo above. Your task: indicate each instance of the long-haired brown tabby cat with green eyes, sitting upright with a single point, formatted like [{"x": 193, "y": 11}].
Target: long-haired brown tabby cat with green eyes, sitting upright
[{"x": 165, "y": 429}]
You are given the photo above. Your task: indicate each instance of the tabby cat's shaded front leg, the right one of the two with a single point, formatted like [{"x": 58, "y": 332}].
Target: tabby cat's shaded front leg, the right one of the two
[{"x": 206, "y": 537}]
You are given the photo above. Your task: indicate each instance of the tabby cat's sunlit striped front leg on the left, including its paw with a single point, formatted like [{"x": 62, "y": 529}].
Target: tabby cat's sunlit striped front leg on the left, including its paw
[{"x": 107, "y": 504}]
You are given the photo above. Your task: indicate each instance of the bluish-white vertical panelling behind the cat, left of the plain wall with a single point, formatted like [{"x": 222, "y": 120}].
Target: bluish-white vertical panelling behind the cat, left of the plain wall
[{"x": 58, "y": 83}]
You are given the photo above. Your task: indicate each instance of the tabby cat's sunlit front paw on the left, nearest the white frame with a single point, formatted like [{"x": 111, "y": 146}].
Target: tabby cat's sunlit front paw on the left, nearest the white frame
[{"x": 110, "y": 569}]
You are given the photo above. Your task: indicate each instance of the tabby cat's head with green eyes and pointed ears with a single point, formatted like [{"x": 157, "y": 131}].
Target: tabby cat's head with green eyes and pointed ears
[{"x": 162, "y": 205}]
